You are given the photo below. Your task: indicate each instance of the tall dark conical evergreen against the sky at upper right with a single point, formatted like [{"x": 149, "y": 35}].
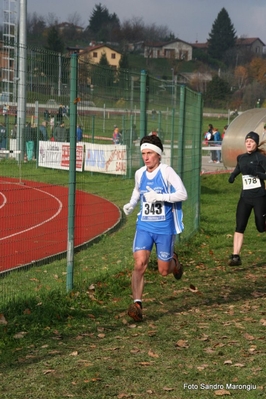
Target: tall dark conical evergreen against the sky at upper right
[{"x": 222, "y": 36}]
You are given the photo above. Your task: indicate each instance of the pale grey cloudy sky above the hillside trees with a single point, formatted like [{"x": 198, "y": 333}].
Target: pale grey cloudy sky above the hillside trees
[{"x": 189, "y": 20}]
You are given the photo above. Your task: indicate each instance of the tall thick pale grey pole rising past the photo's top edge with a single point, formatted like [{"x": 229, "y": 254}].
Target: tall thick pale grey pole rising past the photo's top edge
[{"x": 22, "y": 68}]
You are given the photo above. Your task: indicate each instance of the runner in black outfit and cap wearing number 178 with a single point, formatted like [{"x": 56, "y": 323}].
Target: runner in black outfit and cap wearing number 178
[{"x": 252, "y": 165}]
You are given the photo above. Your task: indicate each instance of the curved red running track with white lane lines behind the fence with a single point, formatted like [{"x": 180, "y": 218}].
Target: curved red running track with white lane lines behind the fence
[{"x": 34, "y": 221}]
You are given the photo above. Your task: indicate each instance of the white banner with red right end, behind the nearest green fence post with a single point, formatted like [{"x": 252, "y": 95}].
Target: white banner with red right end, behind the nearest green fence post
[{"x": 53, "y": 154}]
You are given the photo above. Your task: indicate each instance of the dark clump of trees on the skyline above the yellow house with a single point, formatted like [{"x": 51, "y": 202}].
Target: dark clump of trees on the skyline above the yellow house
[{"x": 103, "y": 26}]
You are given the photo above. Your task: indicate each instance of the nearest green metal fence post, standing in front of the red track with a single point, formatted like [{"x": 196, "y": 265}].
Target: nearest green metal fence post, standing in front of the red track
[{"x": 72, "y": 171}]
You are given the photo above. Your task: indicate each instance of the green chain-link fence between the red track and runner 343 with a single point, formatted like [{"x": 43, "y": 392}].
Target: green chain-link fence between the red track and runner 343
[{"x": 113, "y": 110}]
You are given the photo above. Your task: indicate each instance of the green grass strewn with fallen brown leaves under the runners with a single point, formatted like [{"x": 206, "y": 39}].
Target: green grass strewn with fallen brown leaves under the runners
[{"x": 201, "y": 337}]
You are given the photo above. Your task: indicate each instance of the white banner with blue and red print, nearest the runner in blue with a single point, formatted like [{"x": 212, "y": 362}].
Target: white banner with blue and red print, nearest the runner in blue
[{"x": 104, "y": 158}]
